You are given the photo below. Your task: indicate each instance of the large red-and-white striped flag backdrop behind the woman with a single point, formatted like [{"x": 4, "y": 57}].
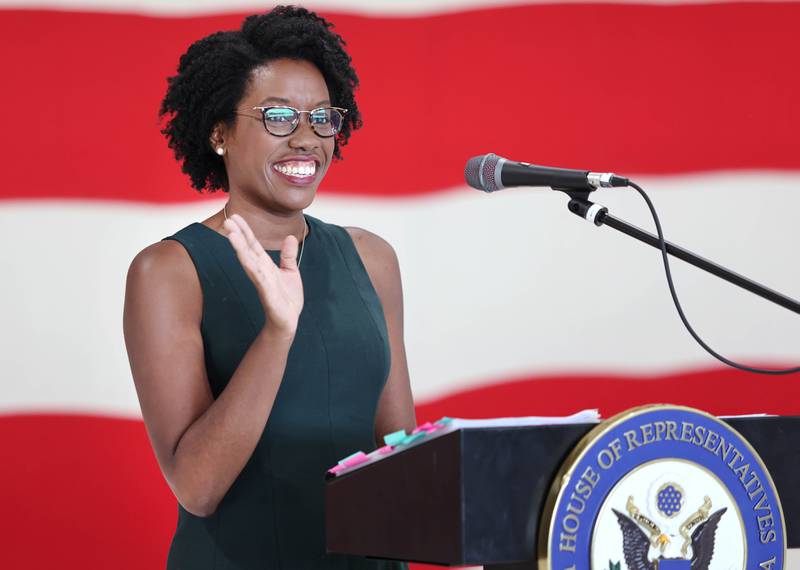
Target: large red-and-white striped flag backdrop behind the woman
[{"x": 513, "y": 306}]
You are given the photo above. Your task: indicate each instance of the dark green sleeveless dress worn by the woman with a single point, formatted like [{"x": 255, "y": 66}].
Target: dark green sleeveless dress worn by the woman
[{"x": 272, "y": 516}]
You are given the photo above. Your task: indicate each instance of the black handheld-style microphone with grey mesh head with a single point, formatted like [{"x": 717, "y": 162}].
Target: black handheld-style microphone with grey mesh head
[{"x": 490, "y": 173}]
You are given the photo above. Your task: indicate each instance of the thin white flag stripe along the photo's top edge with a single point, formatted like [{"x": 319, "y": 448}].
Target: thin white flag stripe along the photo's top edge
[{"x": 370, "y": 7}]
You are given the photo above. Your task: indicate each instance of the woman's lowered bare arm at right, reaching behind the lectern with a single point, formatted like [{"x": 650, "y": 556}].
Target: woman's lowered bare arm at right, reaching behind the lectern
[{"x": 396, "y": 405}]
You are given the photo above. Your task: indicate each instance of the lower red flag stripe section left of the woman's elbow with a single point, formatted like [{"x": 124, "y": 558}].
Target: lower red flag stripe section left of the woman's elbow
[{"x": 82, "y": 492}]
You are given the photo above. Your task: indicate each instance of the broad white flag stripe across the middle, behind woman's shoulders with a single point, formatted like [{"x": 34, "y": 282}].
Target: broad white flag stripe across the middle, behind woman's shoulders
[{"x": 496, "y": 285}]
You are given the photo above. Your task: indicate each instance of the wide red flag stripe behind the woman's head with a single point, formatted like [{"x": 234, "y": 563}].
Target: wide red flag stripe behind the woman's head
[{"x": 677, "y": 88}]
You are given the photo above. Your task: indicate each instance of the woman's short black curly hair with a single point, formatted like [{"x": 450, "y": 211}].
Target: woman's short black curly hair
[{"x": 214, "y": 73}]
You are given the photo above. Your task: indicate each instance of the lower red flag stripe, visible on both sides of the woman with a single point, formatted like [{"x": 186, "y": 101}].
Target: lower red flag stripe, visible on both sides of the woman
[{"x": 81, "y": 491}]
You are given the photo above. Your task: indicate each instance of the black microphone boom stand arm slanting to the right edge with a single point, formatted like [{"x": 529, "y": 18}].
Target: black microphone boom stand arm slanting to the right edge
[{"x": 580, "y": 205}]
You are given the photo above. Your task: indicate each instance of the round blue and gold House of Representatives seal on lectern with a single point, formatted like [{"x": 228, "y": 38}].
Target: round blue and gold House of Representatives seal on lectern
[{"x": 663, "y": 488}]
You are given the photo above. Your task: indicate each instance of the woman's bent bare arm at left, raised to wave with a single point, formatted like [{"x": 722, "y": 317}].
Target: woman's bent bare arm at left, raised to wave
[{"x": 201, "y": 444}]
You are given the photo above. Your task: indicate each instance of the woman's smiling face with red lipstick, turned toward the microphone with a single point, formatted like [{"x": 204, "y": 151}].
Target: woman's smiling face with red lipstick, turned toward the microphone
[{"x": 280, "y": 174}]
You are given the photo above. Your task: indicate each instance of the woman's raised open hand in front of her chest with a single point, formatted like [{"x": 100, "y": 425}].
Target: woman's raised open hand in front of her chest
[{"x": 280, "y": 289}]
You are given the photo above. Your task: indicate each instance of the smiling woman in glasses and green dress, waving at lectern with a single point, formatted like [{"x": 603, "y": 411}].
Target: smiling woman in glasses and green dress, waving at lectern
[{"x": 256, "y": 370}]
